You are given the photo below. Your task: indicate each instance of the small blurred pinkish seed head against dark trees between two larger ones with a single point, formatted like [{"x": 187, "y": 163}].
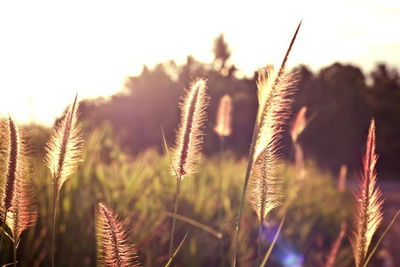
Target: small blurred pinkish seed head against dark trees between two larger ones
[{"x": 223, "y": 125}]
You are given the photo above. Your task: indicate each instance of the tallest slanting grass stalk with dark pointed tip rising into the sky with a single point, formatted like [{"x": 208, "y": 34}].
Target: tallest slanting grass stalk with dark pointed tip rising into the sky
[{"x": 268, "y": 83}]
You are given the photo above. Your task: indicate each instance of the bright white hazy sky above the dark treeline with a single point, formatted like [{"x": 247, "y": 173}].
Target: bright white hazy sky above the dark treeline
[{"x": 51, "y": 50}]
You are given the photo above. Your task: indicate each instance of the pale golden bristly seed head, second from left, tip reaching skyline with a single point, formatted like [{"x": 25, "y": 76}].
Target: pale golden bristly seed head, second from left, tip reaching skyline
[{"x": 64, "y": 147}]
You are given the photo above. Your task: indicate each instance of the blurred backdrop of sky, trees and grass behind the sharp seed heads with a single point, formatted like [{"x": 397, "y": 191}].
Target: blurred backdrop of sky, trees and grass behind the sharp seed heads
[{"x": 130, "y": 62}]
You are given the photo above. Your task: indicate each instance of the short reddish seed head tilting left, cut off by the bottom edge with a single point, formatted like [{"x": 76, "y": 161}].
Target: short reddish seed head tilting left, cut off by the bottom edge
[{"x": 113, "y": 250}]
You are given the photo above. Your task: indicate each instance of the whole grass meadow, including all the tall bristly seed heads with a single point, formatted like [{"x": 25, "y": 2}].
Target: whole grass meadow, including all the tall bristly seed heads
[{"x": 141, "y": 189}]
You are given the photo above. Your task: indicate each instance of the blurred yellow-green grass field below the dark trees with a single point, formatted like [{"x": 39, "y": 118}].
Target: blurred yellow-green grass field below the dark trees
[{"x": 141, "y": 191}]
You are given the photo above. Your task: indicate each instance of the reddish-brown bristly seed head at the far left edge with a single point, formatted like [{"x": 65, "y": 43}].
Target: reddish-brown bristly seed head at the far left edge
[{"x": 19, "y": 206}]
